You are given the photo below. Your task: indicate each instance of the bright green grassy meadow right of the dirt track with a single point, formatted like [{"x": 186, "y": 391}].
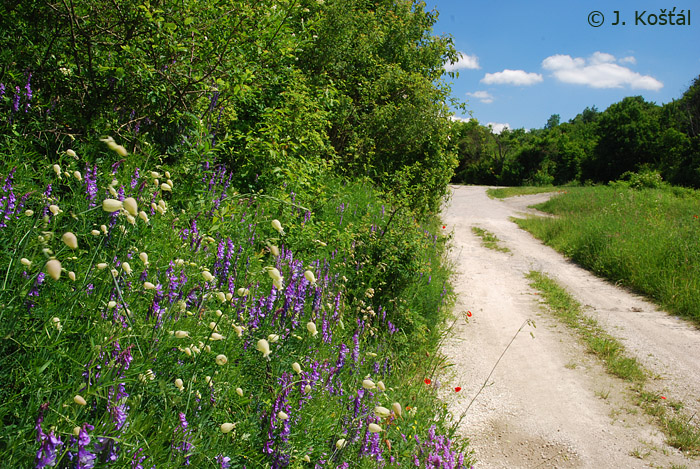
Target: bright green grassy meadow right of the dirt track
[{"x": 648, "y": 240}]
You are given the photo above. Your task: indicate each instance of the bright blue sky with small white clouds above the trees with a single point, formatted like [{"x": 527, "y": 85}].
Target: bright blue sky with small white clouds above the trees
[{"x": 526, "y": 60}]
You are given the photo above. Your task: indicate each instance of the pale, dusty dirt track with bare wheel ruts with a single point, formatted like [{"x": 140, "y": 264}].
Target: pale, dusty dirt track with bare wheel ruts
[{"x": 549, "y": 404}]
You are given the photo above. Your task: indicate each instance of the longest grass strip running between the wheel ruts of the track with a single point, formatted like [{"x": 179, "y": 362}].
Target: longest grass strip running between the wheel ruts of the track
[{"x": 680, "y": 432}]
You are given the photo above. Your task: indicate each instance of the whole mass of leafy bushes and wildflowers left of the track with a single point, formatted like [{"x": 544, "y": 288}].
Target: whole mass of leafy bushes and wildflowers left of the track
[{"x": 220, "y": 243}]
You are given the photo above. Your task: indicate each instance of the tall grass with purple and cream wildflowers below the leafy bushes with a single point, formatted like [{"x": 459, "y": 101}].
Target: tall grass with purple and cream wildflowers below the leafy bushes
[{"x": 195, "y": 331}]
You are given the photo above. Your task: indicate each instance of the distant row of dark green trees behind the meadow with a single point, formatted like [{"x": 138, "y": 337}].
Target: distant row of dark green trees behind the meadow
[{"x": 631, "y": 136}]
